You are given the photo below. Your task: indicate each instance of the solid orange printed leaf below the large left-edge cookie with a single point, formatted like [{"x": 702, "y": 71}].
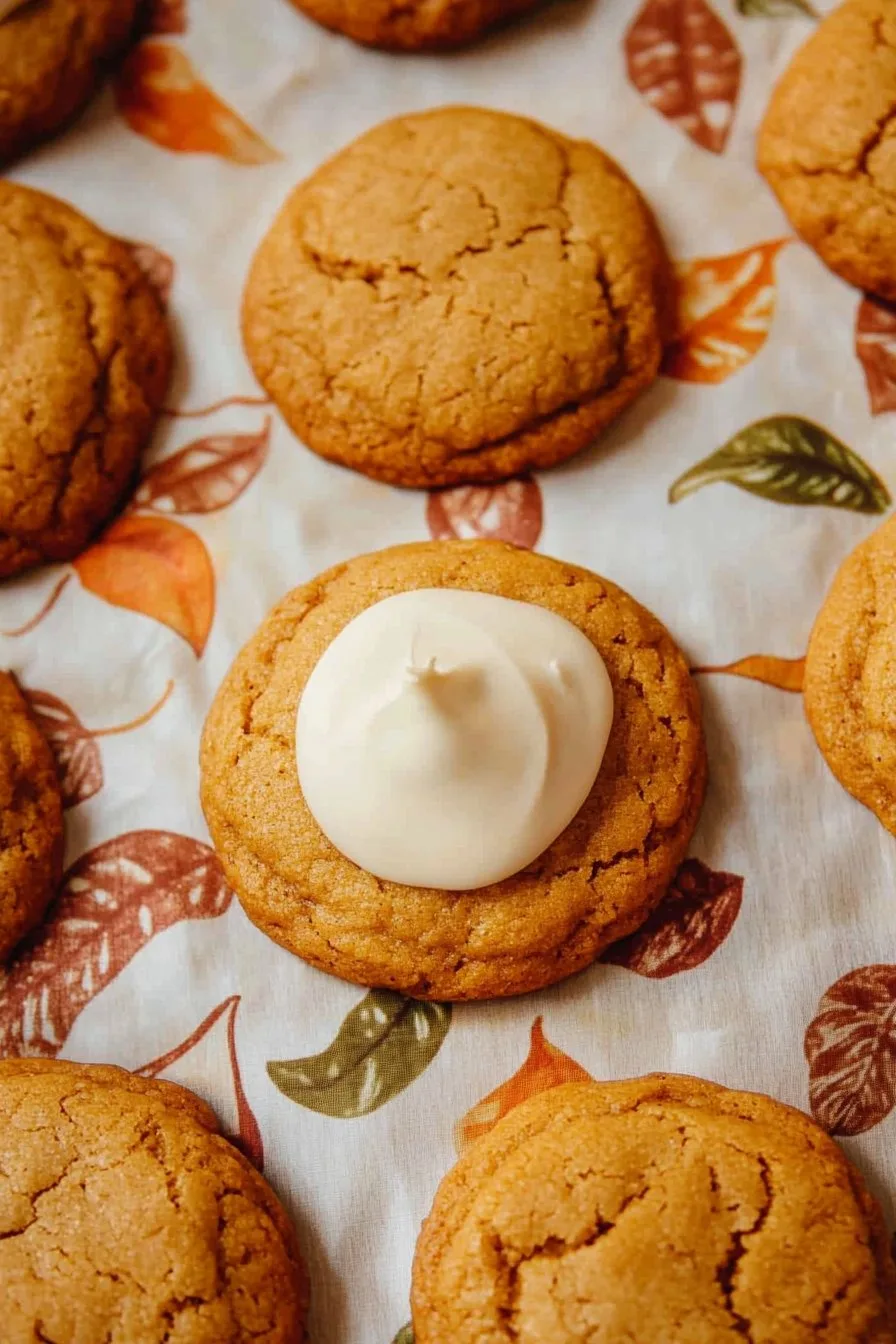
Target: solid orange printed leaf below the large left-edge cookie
[{"x": 158, "y": 568}]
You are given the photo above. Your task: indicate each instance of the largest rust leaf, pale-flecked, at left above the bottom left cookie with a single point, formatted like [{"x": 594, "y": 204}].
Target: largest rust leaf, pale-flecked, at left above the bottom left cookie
[{"x": 111, "y": 904}]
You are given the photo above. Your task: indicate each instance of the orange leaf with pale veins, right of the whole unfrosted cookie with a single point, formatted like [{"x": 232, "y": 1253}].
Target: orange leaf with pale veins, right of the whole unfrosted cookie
[{"x": 725, "y": 311}]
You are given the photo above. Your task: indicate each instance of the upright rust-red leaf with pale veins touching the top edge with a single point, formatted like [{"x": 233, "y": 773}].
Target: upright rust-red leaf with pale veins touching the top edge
[{"x": 683, "y": 60}]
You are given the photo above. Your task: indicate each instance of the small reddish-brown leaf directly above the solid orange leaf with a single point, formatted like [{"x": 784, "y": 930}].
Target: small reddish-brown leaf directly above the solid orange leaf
[{"x": 205, "y": 476}]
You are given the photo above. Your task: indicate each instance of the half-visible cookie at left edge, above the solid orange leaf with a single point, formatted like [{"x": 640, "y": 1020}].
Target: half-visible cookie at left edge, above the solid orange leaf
[{"x": 87, "y": 355}]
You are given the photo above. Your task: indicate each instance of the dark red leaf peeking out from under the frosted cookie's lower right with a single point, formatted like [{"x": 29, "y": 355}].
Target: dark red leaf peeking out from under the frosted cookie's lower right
[{"x": 692, "y": 921}]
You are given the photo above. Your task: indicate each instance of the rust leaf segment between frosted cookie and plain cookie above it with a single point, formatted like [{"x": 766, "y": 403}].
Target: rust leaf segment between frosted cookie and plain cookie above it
[{"x": 508, "y": 513}]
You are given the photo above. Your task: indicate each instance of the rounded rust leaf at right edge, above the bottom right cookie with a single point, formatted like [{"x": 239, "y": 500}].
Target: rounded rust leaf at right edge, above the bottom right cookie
[{"x": 851, "y": 1049}]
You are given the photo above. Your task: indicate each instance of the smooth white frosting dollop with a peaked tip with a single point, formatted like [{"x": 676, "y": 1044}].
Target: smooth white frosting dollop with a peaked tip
[{"x": 447, "y": 737}]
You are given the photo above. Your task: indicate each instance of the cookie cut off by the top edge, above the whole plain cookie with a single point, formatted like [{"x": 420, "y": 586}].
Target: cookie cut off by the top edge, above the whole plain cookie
[{"x": 416, "y": 25}]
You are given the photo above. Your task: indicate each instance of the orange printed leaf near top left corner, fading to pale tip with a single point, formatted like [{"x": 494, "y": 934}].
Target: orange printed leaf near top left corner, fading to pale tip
[{"x": 162, "y": 97}]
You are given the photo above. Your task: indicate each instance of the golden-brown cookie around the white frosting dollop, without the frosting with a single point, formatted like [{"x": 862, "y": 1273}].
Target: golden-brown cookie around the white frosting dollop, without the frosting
[{"x": 597, "y": 882}]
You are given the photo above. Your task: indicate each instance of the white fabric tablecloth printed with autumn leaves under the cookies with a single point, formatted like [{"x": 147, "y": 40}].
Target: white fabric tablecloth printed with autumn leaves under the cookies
[{"x": 725, "y": 501}]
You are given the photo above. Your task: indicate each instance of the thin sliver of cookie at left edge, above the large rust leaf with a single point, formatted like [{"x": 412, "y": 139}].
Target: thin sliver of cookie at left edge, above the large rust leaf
[{"x": 32, "y": 829}]
